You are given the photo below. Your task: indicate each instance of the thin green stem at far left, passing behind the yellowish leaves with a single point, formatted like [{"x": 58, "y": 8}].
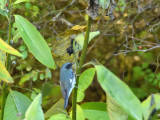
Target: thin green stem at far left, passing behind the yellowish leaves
[{"x": 5, "y": 87}]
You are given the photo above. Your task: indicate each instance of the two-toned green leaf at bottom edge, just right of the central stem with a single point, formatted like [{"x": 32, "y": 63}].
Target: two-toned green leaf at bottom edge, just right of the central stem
[{"x": 95, "y": 111}]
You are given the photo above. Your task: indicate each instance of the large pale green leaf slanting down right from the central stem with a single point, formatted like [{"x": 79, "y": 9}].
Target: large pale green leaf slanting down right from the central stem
[{"x": 119, "y": 92}]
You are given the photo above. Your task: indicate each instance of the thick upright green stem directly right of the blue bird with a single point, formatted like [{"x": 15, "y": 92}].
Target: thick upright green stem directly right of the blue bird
[{"x": 79, "y": 68}]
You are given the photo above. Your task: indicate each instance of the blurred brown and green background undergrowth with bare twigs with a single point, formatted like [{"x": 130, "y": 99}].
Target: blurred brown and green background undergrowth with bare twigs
[{"x": 128, "y": 45}]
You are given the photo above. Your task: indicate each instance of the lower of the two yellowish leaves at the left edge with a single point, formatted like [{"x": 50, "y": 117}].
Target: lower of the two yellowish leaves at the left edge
[{"x": 4, "y": 75}]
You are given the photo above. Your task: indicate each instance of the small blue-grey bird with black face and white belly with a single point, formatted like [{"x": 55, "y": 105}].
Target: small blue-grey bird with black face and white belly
[{"x": 67, "y": 81}]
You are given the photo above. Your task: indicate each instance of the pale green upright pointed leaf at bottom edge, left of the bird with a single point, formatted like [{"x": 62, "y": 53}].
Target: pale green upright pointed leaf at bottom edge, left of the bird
[{"x": 35, "y": 112}]
